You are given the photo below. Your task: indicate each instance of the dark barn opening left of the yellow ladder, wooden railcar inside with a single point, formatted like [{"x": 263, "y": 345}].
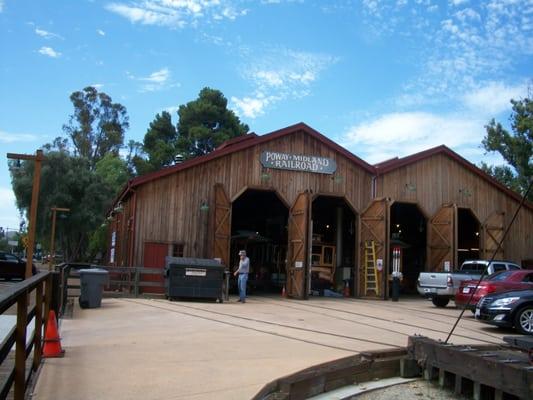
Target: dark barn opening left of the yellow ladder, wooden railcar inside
[{"x": 333, "y": 247}]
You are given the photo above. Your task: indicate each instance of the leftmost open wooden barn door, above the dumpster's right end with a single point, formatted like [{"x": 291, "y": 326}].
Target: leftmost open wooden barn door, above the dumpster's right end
[{"x": 222, "y": 229}]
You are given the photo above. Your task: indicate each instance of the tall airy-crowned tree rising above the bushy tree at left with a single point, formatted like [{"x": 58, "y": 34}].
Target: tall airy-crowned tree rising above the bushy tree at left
[{"x": 97, "y": 125}]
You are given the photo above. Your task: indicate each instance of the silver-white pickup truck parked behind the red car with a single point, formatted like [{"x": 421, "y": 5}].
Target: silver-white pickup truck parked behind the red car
[{"x": 440, "y": 287}]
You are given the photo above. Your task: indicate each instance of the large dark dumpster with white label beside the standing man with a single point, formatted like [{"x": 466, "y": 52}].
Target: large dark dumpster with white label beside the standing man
[{"x": 194, "y": 278}]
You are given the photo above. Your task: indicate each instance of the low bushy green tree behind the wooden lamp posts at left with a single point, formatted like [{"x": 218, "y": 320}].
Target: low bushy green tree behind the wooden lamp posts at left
[{"x": 66, "y": 181}]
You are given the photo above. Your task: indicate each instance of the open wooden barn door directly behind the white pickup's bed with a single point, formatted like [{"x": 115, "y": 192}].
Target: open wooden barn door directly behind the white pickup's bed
[{"x": 442, "y": 236}]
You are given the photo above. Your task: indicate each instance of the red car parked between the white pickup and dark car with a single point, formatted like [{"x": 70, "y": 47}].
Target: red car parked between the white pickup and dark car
[{"x": 495, "y": 283}]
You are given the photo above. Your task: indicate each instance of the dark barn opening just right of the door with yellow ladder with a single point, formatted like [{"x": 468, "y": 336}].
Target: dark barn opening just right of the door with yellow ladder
[{"x": 408, "y": 232}]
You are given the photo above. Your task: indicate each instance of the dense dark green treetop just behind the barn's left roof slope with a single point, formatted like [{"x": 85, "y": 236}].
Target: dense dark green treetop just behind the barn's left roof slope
[{"x": 205, "y": 123}]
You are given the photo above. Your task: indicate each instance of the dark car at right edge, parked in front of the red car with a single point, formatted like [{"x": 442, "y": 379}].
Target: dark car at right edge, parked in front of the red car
[{"x": 508, "y": 309}]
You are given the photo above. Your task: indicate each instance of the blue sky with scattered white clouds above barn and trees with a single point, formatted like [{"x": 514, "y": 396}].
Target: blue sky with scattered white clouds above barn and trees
[{"x": 382, "y": 78}]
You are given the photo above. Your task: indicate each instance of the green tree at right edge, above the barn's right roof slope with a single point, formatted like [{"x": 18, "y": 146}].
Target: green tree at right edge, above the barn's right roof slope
[{"x": 516, "y": 147}]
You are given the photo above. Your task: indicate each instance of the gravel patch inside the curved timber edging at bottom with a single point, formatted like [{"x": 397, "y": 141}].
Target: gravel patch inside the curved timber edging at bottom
[{"x": 419, "y": 389}]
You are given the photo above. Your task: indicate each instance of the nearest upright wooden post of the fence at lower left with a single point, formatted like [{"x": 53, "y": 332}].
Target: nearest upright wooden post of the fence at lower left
[{"x": 20, "y": 352}]
